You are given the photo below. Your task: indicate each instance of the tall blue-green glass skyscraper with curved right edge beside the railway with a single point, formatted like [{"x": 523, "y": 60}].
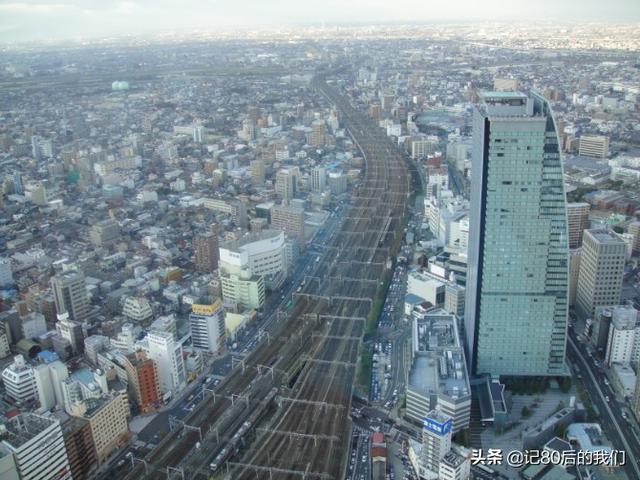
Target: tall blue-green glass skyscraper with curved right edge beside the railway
[{"x": 517, "y": 283}]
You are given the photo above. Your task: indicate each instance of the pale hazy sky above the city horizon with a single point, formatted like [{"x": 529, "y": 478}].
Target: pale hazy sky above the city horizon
[{"x": 58, "y": 19}]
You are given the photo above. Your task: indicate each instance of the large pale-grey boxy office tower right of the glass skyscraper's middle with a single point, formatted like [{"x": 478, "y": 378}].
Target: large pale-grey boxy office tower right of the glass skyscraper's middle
[{"x": 601, "y": 271}]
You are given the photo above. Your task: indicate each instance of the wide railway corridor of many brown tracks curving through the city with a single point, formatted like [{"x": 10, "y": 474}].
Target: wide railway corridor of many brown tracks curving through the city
[{"x": 283, "y": 412}]
